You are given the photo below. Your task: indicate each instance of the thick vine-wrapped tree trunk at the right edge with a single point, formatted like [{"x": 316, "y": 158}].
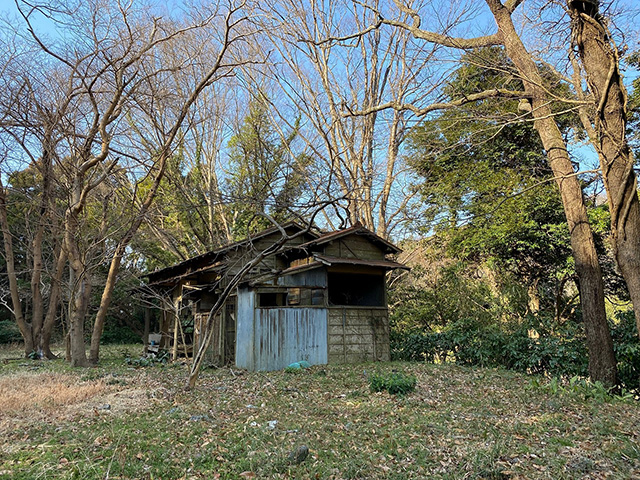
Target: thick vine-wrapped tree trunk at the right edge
[{"x": 601, "y": 64}]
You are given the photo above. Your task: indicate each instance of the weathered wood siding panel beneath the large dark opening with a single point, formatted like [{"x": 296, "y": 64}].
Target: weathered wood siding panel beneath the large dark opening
[{"x": 358, "y": 334}]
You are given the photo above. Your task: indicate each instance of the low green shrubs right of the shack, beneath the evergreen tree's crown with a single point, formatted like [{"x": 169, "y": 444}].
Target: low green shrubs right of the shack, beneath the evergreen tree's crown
[{"x": 479, "y": 318}]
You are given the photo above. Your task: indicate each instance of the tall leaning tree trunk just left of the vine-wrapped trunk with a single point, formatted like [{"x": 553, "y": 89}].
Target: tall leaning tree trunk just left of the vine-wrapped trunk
[{"x": 602, "y": 362}]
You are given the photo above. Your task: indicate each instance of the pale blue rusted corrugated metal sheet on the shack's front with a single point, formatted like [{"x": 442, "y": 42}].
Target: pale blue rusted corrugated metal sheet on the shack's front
[{"x": 287, "y": 335}]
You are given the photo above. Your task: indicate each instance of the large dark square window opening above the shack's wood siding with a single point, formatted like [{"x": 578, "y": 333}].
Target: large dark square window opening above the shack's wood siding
[{"x": 356, "y": 290}]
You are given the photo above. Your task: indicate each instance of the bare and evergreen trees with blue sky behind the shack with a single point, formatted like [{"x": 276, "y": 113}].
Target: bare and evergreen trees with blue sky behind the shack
[{"x": 134, "y": 135}]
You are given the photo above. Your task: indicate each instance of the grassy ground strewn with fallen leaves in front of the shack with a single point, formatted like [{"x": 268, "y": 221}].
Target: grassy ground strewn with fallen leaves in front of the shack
[{"x": 116, "y": 421}]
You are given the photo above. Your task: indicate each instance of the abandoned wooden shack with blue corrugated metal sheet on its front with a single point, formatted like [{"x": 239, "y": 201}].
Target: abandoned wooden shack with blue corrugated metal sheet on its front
[{"x": 321, "y": 298}]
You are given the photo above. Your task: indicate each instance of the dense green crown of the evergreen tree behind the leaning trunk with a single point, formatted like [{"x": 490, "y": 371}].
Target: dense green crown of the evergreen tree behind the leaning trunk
[{"x": 486, "y": 185}]
